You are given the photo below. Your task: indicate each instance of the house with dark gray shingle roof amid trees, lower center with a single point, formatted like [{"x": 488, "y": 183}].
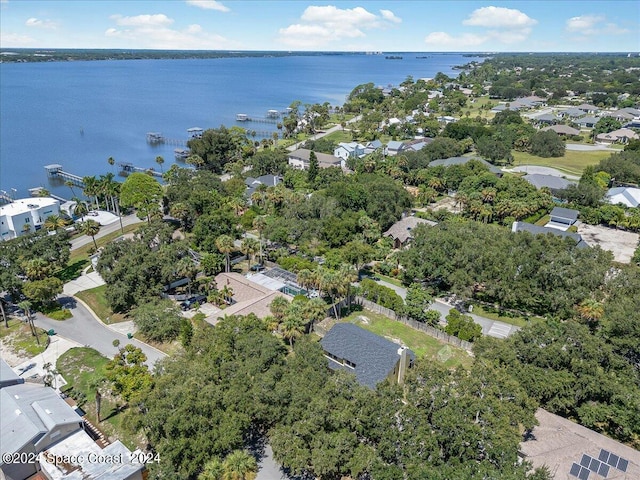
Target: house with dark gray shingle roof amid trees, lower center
[{"x": 370, "y": 357}]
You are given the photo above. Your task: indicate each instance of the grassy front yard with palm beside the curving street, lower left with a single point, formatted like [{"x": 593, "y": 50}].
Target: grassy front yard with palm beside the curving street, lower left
[{"x": 84, "y": 369}]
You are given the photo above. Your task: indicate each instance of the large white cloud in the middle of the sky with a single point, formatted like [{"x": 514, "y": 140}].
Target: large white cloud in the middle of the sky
[{"x": 321, "y": 25}]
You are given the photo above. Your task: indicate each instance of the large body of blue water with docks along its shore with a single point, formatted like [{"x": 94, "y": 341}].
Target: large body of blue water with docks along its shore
[{"x": 79, "y": 114}]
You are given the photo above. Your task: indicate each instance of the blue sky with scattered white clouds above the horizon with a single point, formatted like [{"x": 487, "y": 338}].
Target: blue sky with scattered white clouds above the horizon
[{"x": 391, "y": 25}]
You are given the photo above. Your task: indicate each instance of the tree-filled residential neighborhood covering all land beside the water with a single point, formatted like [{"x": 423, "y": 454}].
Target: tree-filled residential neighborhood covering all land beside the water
[{"x": 434, "y": 279}]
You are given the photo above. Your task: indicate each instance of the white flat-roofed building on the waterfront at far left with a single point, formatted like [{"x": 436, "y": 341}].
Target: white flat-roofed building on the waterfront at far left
[{"x": 26, "y": 215}]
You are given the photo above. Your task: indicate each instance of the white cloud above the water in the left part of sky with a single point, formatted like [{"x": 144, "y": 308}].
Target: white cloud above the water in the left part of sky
[{"x": 156, "y": 32}]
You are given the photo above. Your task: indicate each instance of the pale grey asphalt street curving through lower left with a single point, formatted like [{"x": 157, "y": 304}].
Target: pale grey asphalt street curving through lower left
[{"x": 85, "y": 329}]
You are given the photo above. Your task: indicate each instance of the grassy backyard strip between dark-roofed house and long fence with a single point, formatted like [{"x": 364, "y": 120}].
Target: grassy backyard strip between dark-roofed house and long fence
[{"x": 422, "y": 344}]
